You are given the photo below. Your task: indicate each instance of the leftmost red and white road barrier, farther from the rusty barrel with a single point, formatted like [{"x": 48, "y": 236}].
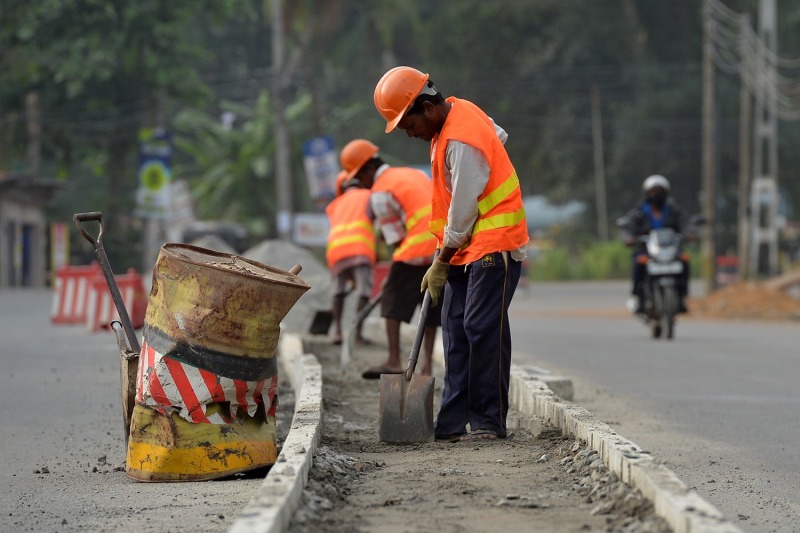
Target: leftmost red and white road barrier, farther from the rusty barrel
[{"x": 71, "y": 293}]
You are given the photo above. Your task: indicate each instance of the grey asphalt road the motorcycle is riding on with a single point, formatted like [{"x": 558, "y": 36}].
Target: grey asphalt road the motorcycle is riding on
[{"x": 720, "y": 404}]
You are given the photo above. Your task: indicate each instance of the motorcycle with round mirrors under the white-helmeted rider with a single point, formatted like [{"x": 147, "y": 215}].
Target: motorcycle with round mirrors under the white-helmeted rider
[{"x": 664, "y": 263}]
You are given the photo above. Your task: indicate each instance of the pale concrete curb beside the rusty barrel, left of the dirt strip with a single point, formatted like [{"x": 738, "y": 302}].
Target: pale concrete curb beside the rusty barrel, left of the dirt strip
[{"x": 270, "y": 510}]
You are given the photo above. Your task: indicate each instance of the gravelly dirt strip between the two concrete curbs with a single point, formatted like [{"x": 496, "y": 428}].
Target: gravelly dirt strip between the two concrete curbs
[{"x": 546, "y": 482}]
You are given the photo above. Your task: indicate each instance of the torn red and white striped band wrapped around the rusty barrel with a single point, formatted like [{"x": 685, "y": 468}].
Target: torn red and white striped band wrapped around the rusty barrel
[{"x": 165, "y": 384}]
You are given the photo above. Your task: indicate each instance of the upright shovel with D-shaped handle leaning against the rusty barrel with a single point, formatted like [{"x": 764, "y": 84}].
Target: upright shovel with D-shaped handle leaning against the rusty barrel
[{"x": 128, "y": 351}]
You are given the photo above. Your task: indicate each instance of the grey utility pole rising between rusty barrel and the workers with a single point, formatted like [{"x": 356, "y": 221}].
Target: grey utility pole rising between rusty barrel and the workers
[{"x": 283, "y": 175}]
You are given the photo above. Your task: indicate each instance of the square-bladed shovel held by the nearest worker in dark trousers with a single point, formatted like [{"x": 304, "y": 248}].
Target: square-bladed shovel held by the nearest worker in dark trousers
[{"x": 406, "y": 401}]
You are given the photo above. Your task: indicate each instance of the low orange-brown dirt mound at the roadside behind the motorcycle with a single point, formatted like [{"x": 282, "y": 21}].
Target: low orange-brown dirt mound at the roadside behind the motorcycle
[{"x": 747, "y": 300}]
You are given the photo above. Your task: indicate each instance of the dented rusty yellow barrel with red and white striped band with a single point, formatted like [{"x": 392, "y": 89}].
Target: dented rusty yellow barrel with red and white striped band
[{"x": 206, "y": 390}]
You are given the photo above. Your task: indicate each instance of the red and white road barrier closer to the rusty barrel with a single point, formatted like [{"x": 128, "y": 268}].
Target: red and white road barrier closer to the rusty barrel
[{"x": 101, "y": 310}]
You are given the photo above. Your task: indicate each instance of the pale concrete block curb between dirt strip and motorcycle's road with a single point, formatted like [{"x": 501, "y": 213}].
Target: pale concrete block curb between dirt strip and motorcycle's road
[{"x": 684, "y": 510}]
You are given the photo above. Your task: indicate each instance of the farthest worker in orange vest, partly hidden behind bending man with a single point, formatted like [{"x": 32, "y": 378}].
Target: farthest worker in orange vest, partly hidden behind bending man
[{"x": 351, "y": 249}]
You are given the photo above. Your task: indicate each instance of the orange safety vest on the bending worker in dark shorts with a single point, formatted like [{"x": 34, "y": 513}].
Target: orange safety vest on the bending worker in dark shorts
[{"x": 413, "y": 191}]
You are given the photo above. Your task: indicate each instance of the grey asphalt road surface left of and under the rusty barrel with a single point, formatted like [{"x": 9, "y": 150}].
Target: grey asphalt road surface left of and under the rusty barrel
[{"x": 62, "y": 438}]
